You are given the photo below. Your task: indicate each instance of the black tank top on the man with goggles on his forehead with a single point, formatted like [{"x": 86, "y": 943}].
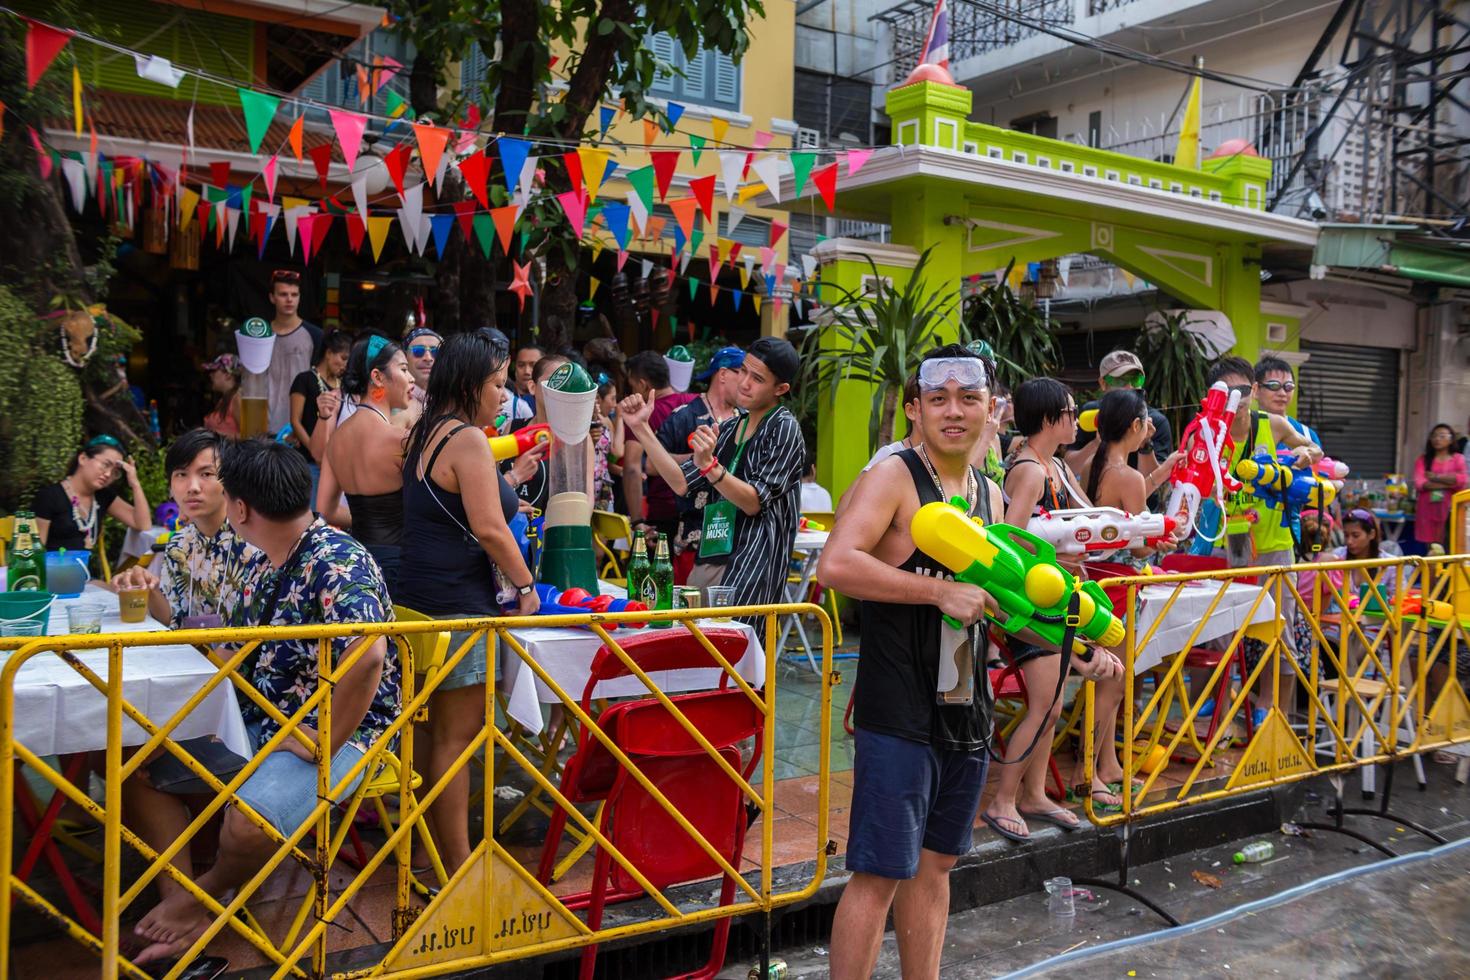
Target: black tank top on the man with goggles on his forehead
[{"x": 900, "y": 653}]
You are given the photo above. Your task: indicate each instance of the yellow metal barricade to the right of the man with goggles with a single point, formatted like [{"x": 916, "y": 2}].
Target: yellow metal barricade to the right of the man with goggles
[{"x": 1360, "y": 660}]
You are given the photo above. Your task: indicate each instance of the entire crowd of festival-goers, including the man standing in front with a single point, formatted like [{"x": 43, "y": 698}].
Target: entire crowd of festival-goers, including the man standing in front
[{"x": 381, "y": 490}]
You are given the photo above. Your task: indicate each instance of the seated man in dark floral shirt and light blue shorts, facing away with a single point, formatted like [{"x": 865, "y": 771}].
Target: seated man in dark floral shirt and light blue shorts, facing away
[{"x": 314, "y": 575}]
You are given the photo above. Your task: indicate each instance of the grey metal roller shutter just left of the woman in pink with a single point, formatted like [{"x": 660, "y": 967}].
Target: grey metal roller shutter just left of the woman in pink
[{"x": 1350, "y": 397}]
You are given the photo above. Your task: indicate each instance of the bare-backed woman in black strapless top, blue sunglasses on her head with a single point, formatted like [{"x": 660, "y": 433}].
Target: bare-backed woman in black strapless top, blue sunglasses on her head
[{"x": 365, "y": 458}]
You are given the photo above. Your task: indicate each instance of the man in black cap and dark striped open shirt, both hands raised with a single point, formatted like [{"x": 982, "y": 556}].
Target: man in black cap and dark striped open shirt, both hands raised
[{"x": 745, "y": 478}]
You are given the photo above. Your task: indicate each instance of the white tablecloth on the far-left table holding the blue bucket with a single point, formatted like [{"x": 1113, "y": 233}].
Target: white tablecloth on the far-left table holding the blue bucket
[{"x": 58, "y": 712}]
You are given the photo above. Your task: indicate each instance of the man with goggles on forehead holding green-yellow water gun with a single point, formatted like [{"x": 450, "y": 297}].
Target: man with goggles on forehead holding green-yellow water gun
[{"x": 922, "y": 732}]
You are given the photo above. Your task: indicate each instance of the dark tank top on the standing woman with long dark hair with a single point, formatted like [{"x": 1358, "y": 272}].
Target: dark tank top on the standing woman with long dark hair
[{"x": 446, "y": 572}]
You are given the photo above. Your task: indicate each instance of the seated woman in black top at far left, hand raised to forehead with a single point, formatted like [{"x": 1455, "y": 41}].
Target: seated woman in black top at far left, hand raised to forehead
[{"x": 70, "y": 514}]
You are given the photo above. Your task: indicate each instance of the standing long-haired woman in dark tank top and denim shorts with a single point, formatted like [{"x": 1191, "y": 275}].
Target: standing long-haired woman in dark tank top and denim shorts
[{"x": 462, "y": 562}]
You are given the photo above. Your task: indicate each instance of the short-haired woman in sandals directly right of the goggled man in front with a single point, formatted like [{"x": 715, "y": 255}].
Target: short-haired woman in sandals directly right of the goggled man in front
[{"x": 1037, "y": 480}]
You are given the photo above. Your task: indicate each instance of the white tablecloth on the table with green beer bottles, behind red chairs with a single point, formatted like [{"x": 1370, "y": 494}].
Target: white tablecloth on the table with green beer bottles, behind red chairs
[{"x": 567, "y": 655}]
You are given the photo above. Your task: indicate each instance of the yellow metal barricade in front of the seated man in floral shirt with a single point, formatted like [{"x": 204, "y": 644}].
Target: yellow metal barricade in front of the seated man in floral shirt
[{"x": 468, "y": 925}]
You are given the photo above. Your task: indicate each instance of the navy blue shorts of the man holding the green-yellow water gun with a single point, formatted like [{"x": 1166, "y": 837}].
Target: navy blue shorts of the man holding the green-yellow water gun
[{"x": 909, "y": 796}]
